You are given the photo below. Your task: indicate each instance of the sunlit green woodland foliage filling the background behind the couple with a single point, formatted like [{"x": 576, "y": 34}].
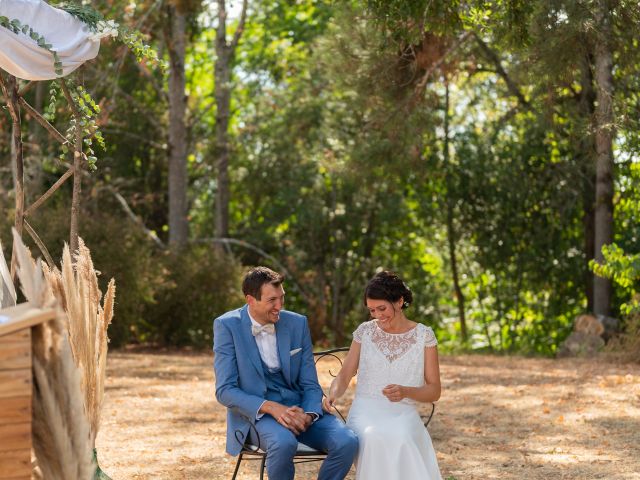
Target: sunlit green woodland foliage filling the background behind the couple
[{"x": 340, "y": 166}]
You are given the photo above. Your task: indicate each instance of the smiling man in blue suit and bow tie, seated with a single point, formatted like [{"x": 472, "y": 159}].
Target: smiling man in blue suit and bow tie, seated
[{"x": 265, "y": 376}]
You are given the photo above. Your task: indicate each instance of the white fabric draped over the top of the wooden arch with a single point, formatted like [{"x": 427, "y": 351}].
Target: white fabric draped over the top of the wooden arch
[{"x": 22, "y": 57}]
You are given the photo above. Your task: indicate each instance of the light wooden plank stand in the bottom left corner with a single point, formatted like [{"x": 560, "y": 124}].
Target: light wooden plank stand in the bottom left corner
[{"x": 16, "y": 388}]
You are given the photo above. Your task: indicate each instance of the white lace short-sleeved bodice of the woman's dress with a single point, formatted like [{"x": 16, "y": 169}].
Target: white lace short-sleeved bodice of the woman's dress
[{"x": 388, "y": 358}]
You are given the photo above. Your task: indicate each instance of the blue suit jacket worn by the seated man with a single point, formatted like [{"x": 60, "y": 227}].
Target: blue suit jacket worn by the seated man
[{"x": 240, "y": 384}]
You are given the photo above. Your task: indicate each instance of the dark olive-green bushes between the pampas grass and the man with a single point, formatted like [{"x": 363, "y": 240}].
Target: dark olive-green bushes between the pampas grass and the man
[{"x": 162, "y": 298}]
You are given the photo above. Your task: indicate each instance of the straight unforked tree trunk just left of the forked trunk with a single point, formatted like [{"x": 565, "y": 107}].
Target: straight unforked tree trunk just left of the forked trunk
[{"x": 178, "y": 226}]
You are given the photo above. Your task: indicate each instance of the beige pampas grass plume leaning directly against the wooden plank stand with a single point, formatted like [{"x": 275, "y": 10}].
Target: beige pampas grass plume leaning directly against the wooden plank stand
[{"x": 61, "y": 428}]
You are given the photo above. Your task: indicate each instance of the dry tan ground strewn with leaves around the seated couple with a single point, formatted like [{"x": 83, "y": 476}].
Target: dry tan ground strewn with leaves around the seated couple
[{"x": 498, "y": 418}]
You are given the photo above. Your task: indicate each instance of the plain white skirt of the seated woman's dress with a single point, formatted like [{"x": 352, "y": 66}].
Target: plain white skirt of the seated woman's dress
[{"x": 393, "y": 442}]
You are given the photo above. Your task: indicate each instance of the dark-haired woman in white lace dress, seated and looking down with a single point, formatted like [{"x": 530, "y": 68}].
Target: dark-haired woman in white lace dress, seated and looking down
[{"x": 397, "y": 364}]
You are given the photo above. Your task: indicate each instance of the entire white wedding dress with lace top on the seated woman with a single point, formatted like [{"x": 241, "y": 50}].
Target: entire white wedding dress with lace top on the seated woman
[{"x": 393, "y": 442}]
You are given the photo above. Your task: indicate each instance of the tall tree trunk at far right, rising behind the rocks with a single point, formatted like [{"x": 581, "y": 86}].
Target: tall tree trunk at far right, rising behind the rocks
[{"x": 604, "y": 148}]
